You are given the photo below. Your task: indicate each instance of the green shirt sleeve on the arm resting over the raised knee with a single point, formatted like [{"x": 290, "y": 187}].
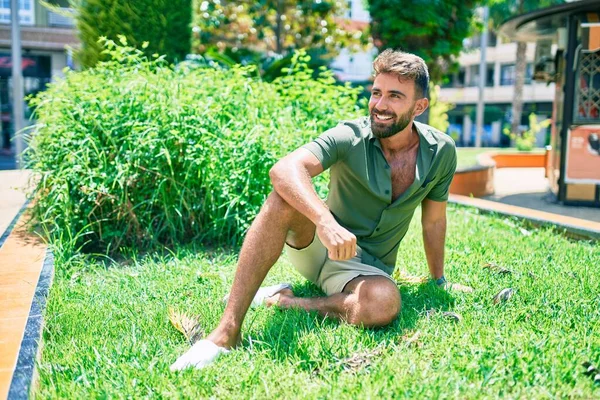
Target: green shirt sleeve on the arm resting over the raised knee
[{"x": 332, "y": 146}]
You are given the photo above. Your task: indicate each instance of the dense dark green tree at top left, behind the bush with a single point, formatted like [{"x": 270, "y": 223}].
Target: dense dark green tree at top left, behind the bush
[{"x": 165, "y": 25}]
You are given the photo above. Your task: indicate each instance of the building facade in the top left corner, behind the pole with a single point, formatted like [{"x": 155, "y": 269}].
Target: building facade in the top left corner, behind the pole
[{"x": 45, "y": 39}]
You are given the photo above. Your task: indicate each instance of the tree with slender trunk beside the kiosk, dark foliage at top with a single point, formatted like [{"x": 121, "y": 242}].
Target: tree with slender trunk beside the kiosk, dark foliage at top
[{"x": 500, "y": 11}]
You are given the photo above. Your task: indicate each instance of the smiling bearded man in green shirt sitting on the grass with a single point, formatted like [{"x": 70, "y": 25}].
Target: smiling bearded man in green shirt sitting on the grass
[{"x": 382, "y": 168}]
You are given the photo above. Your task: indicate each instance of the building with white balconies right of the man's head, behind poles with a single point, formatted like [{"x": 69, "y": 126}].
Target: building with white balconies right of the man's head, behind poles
[{"x": 462, "y": 90}]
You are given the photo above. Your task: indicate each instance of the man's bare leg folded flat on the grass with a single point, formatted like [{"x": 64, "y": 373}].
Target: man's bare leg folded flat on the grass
[{"x": 369, "y": 301}]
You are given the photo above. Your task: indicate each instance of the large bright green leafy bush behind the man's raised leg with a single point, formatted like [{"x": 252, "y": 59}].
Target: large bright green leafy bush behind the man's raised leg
[{"x": 135, "y": 153}]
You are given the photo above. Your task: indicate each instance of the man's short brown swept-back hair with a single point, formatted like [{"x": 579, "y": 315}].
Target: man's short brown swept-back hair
[{"x": 405, "y": 66}]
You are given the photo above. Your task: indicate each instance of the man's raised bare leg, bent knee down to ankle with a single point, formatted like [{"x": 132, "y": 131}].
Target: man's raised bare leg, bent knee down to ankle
[{"x": 262, "y": 247}]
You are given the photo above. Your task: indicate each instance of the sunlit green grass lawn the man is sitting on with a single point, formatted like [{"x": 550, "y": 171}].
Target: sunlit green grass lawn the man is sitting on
[{"x": 107, "y": 333}]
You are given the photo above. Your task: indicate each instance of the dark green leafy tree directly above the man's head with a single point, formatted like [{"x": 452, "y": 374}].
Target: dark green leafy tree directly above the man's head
[{"x": 434, "y": 30}]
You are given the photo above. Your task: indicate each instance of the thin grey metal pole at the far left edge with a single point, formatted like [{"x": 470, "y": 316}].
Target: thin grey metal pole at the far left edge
[{"x": 17, "y": 81}]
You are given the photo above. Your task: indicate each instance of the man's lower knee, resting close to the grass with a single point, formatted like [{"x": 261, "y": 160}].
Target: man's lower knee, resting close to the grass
[{"x": 378, "y": 303}]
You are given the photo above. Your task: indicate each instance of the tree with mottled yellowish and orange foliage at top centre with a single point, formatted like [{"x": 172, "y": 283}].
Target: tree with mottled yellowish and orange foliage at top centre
[{"x": 260, "y": 27}]
